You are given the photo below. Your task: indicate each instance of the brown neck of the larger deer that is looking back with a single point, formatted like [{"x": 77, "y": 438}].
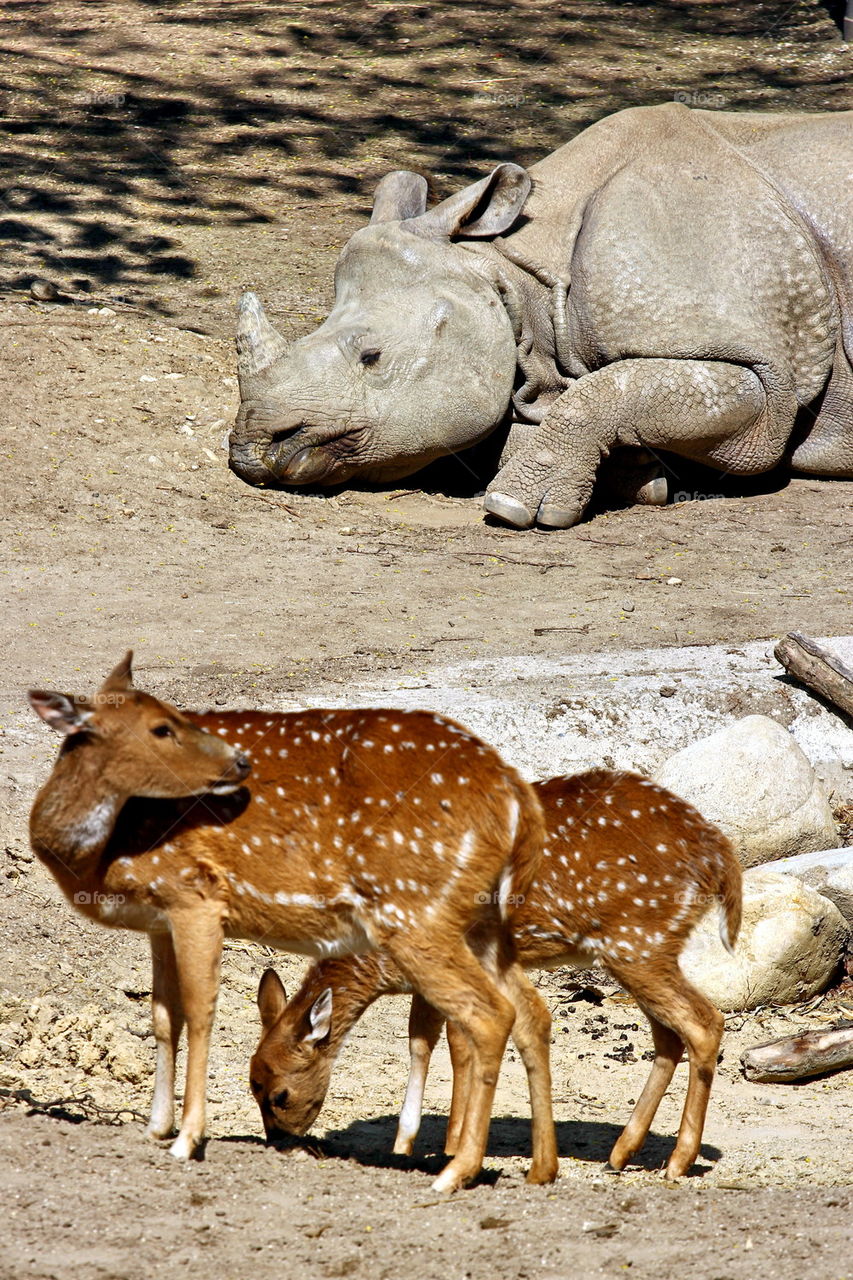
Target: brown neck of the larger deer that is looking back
[{"x": 75, "y": 815}]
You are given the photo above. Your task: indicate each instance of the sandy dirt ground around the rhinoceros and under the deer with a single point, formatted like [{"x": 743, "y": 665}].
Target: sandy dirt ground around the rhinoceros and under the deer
[{"x": 159, "y": 159}]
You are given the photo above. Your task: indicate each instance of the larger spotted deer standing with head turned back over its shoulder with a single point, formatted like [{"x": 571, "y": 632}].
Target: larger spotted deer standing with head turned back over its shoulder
[{"x": 359, "y": 831}]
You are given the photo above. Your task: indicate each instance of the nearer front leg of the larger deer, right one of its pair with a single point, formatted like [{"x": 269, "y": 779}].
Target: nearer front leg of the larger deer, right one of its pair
[{"x": 198, "y": 939}]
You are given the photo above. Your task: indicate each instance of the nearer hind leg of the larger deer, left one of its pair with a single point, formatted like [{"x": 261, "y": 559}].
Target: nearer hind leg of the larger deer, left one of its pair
[{"x": 459, "y": 988}]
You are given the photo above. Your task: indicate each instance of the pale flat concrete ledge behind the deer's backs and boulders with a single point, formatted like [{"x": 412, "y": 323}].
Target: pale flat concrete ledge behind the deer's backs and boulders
[{"x": 622, "y": 708}]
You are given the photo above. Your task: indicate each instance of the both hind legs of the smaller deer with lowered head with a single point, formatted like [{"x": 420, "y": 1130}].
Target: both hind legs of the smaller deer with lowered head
[{"x": 679, "y": 1017}]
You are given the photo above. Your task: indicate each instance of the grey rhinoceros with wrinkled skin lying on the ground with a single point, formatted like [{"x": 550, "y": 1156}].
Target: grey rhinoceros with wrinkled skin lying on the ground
[{"x": 670, "y": 280}]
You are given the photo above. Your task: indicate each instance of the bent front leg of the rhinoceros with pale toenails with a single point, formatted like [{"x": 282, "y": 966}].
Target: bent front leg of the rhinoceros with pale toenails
[{"x": 705, "y": 410}]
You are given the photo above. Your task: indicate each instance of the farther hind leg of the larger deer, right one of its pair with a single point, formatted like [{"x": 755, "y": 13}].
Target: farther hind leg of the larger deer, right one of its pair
[{"x": 532, "y": 1037}]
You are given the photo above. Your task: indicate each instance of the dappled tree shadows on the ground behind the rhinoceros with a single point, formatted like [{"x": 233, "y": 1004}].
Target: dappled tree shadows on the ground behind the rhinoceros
[{"x": 130, "y": 127}]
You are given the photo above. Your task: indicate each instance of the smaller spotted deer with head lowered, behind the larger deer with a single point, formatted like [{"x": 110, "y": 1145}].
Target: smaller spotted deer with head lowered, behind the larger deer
[{"x": 627, "y": 872}]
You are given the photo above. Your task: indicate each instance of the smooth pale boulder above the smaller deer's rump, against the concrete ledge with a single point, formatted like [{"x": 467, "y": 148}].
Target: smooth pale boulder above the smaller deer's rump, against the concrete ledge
[{"x": 755, "y": 783}]
